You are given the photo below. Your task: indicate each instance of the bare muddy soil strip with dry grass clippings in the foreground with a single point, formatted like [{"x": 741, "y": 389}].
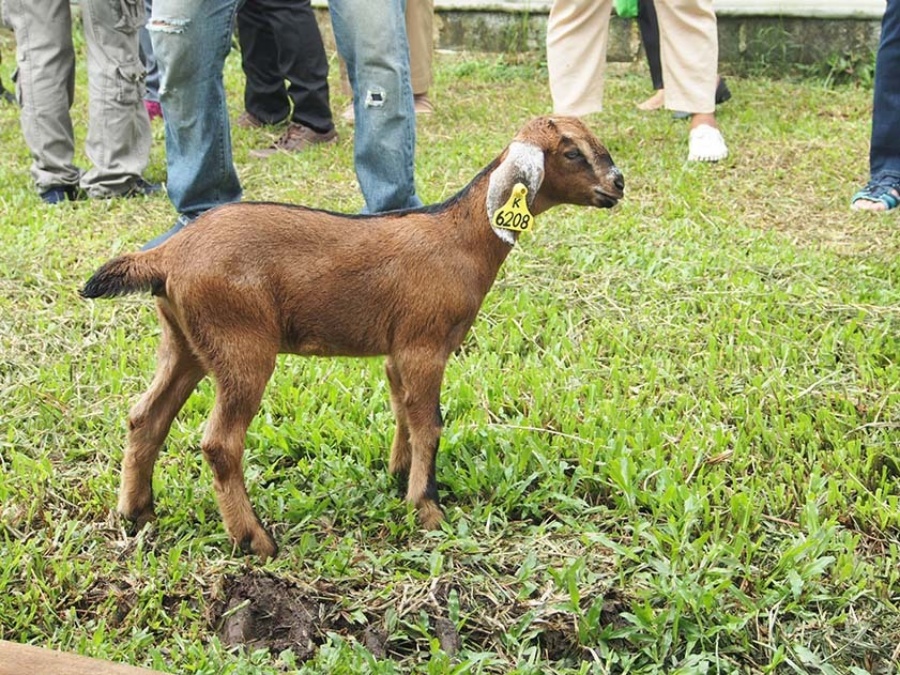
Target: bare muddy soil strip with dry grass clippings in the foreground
[{"x": 258, "y": 611}]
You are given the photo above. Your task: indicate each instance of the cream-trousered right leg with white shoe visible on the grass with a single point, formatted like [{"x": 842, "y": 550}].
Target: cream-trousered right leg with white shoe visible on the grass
[{"x": 689, "y": 47}]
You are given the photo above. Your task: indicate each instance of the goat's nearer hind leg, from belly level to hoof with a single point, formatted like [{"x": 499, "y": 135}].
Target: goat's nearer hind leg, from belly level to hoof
[{"x": 237, "y": 401}]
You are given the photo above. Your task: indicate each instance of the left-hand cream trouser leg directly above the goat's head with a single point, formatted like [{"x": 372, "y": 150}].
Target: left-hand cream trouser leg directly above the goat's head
[{"x": 577, "y": 38}]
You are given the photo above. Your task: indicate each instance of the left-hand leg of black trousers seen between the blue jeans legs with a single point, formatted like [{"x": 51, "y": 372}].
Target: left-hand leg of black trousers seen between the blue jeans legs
[{"x": 265, "y": 97}]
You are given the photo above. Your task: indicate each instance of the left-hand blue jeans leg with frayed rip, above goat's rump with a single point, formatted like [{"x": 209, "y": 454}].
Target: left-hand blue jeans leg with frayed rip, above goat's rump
[{"x": 190, "y": 41}]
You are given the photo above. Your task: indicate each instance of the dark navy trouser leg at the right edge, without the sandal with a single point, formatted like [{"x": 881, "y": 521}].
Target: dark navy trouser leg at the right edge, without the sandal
[{"x": 884, "y": 153}]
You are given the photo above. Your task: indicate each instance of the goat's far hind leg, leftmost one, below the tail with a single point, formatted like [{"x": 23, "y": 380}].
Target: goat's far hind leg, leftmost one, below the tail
[{"x": 177, "y": 373}]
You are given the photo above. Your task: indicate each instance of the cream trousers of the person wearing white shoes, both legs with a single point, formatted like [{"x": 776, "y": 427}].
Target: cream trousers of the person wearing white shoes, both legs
[{"x": 577, "y": 39}]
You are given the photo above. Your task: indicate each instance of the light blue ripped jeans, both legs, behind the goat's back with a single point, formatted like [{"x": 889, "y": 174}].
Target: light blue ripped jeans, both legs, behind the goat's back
[{"x": 191, "y": 40}]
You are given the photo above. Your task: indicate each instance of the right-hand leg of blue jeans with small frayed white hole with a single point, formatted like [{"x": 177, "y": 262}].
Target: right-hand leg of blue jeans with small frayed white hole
[{"x": 372, "y": 41}]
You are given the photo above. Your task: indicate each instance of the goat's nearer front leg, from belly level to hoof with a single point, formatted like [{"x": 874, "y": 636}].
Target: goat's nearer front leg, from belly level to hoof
[{"x": 421, "y": 376}]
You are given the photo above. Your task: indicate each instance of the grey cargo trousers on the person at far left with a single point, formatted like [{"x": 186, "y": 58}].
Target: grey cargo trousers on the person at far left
[{"x": 118, "y": 136}]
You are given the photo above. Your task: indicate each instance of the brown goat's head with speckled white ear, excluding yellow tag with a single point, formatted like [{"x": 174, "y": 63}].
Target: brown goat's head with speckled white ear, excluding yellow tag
[{"x": 560, "y": 161}]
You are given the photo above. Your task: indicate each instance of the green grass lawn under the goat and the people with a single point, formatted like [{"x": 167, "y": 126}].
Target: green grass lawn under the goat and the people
[{"x": 672, "y": 437}]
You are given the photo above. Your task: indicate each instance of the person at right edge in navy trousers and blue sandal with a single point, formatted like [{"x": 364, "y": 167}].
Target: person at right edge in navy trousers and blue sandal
[{"x": 882, "y": 193}]
